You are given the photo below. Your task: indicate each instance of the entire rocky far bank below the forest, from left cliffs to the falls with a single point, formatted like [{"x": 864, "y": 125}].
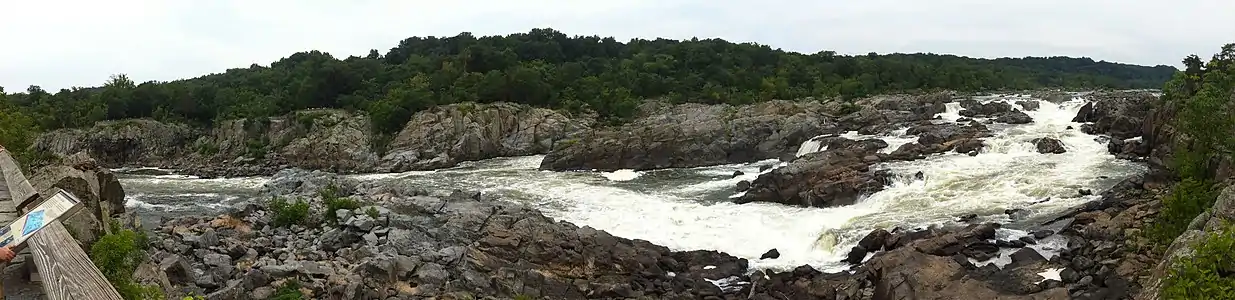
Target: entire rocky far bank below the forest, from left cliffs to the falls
[{"x": 663, "y": 136}]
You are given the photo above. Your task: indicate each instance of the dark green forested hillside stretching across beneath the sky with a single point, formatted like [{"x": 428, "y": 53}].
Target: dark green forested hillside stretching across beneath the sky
[{"x": 551, "y": 70}]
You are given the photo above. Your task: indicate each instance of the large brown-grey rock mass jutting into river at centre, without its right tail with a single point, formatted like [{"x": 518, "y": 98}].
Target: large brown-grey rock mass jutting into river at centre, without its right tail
[{"x": 693, "y": 135}]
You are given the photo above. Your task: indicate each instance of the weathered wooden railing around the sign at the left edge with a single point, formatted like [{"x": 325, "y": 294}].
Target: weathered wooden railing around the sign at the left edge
[{"x": 66, "y": 272}]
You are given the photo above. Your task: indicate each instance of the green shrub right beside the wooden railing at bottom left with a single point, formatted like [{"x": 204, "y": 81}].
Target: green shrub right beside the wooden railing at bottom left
[{"x": 118, "y": 256}]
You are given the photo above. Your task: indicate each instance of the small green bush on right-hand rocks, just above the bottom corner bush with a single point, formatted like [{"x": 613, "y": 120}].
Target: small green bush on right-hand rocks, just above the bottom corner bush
[{"x": 1186, "y": 202}]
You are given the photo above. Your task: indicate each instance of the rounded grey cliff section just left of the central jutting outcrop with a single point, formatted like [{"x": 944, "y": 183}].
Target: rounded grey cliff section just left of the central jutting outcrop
[{"x": 448, "y": 135}]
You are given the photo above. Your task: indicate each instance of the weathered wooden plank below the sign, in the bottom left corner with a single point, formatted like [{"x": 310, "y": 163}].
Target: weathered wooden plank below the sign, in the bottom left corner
[{"x": 66, "y": 271}]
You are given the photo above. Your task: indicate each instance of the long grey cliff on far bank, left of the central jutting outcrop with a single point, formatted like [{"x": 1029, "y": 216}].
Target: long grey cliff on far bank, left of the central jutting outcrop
[{"x": 330, "y": 140}]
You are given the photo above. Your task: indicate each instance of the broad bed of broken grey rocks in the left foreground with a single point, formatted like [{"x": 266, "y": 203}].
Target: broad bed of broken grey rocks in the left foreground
[{"x": 446, "y": 248}]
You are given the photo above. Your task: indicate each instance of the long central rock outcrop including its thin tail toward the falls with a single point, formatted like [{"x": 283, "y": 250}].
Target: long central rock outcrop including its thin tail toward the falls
[{"x": 693, "y": 135}]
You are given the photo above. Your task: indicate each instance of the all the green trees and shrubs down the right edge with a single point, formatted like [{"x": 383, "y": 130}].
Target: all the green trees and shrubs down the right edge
[{"x": 1205, "y": 94}]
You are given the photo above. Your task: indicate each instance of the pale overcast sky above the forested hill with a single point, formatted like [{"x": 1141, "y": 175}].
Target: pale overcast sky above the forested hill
[{"x": 61, "y": 44}]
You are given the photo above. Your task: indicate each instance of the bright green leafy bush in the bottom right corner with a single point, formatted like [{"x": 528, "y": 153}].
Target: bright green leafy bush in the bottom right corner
[{"x": 1210, "y": 273}]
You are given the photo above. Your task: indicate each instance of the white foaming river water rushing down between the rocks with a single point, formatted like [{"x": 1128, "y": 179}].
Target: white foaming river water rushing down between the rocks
[{"x": 691, "y": 208}]
